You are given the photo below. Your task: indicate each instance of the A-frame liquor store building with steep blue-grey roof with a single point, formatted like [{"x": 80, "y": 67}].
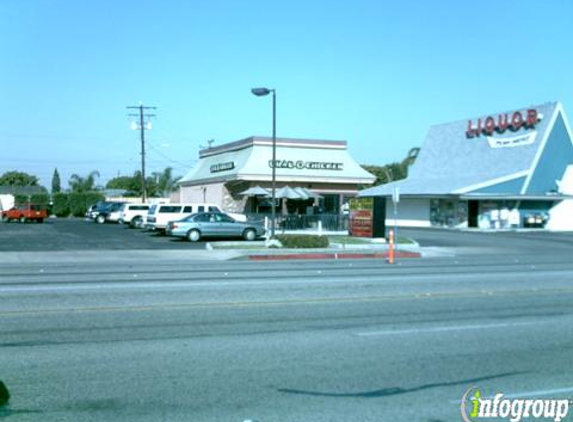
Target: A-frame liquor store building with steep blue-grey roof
[{"x": 502, "y": 170}]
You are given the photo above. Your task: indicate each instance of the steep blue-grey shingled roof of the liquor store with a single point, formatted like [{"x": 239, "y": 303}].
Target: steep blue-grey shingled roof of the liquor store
[{"x": 450, "y": 162}]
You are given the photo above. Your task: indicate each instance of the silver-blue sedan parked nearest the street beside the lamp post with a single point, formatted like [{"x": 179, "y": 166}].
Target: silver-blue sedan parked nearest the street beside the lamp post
[{"x": 213, "y": 224}]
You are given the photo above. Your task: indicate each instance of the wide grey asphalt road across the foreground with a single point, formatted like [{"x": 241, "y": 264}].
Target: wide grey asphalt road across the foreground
[{"x": 289, "y": 341}]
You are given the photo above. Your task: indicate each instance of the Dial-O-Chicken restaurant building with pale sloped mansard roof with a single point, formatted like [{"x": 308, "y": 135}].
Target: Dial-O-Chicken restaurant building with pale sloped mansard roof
[{"x": 224, "y": 173}]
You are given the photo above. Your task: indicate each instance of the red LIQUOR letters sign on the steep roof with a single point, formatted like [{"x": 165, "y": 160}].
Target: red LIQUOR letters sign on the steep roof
[{"x": 503, "y": 122}]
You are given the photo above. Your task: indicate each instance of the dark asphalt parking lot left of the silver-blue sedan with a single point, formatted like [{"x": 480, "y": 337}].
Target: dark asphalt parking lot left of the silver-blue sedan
[{"x": 65, "y": 234}]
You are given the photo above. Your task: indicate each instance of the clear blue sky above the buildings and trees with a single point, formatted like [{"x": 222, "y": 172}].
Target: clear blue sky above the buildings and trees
[{"x": 374, "y": 73}]
